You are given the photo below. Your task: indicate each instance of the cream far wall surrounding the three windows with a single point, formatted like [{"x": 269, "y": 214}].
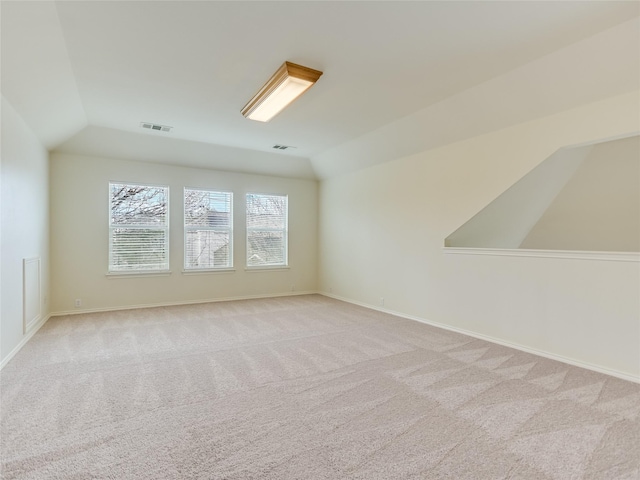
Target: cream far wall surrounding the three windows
[{"x": 79, "y": 236}]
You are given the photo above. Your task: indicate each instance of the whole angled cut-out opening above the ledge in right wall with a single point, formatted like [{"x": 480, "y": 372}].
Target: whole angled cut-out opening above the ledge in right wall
[{"x": 584, "y": 198}]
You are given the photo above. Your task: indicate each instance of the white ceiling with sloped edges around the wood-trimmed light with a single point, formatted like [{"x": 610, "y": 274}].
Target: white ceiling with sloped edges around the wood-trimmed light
[{"x": 84, "y": 74}]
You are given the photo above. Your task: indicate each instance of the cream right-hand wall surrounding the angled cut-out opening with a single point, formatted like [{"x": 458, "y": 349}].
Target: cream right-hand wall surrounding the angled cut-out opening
[{"x": 382, "y": 231}]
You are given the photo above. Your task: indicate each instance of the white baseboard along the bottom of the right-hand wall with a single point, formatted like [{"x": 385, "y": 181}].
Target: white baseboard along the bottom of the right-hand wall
[{"x": 505, "y": 343}]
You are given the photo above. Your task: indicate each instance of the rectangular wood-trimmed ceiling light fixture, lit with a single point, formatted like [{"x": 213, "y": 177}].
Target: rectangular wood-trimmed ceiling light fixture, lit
[{"x": 288, "y": 83}]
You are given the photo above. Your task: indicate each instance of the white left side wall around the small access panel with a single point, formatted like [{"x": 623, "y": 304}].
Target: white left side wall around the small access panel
[{"x": 25, "y": 223}]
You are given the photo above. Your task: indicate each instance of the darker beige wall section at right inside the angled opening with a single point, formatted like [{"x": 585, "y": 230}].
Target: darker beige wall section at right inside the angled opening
[{"x": 599, "y": 208}]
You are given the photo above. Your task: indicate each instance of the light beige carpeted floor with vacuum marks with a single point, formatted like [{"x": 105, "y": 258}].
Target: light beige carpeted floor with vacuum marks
[{"x": 302, "y": 388}]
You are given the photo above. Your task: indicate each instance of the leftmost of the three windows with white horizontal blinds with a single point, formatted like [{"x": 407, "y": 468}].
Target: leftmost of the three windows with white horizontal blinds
[{"x": 138, "y": 228}]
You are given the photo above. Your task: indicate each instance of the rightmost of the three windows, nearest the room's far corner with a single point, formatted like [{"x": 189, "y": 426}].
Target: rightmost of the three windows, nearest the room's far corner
[{"x": 266, "y": 230}]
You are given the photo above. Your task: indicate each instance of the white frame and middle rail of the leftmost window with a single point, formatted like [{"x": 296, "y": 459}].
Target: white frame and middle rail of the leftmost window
[{"x": 164, "y": 228}]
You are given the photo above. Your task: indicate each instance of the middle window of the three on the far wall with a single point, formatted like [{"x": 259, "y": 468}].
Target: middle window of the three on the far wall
[{"x": 208, "y": 229}]
